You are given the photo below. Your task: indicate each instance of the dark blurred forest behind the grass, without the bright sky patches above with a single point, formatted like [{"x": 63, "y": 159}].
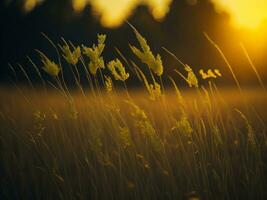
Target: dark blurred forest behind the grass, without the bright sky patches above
[{"x": 180, "y": 30}]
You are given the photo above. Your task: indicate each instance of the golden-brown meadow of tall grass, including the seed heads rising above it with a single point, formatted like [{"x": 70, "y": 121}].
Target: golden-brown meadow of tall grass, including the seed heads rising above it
[{"x": 106, "y": 141}]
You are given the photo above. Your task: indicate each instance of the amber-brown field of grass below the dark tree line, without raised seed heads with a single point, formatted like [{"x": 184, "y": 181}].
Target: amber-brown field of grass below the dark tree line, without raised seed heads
[{"x": 53, "y": 155}]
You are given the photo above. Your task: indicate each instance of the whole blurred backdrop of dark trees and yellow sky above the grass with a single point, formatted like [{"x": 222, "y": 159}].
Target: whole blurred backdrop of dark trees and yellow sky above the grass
[{"x": 175, "y": 24}]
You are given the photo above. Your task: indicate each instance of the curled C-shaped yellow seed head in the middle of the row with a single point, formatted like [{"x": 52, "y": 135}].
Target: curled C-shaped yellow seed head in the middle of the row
[{"x": 118, "y": 70}]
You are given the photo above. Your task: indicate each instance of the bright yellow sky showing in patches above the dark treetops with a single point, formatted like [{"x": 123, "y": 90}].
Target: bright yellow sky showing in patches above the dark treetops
[{"x": 112, "y": 13}]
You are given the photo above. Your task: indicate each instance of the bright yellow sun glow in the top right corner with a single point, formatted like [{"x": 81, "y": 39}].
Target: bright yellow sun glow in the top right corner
[{"x": 244, "y": 13}]
